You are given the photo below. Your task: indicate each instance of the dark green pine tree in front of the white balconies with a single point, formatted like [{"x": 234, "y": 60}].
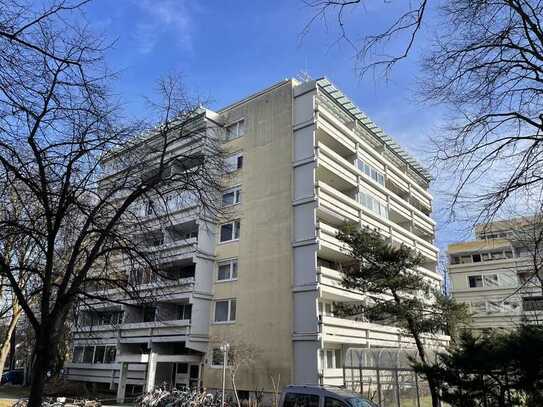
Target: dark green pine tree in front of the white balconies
[{"x": 397, "y": 291}]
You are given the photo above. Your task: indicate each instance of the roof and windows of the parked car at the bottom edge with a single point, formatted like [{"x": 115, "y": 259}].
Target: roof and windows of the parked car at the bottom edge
[{"x": 321, "y": 396}]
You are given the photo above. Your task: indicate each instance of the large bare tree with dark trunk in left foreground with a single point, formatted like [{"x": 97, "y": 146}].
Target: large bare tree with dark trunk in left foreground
[{"x": 78, "y": 173}]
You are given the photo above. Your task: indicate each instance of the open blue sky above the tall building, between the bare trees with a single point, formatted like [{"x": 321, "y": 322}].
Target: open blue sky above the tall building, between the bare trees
[{"x": 226, "y": 50}]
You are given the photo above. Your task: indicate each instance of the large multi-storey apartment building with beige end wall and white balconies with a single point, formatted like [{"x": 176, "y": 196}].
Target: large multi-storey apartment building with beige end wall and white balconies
[{"x": 302, "y": 160}]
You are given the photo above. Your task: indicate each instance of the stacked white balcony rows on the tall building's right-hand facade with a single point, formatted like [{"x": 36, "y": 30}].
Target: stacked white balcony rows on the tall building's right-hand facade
[{"x": 400, "y": 210}]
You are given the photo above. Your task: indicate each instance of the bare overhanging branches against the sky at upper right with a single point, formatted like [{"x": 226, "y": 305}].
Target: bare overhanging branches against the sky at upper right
[{"x": 486, "y": 65}]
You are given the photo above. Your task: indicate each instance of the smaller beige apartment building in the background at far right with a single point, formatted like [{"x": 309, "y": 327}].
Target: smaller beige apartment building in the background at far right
[{"x": 493, "y": 274}]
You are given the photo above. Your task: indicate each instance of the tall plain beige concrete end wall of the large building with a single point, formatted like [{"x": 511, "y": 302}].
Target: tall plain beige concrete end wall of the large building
[{"x": 264, "y": 251}]
